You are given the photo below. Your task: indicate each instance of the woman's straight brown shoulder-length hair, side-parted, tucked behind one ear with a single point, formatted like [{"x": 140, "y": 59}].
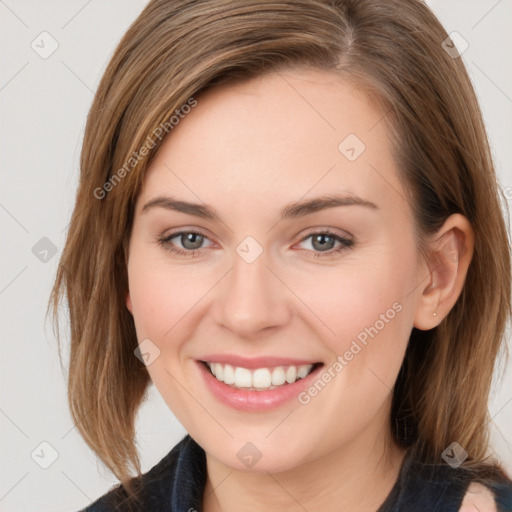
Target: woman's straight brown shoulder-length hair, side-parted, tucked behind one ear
[{"x": 175, "y": 50}]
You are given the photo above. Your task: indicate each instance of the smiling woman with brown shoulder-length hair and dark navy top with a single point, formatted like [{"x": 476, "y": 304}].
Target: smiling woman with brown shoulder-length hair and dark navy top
[{"x": 288, "y": 221}]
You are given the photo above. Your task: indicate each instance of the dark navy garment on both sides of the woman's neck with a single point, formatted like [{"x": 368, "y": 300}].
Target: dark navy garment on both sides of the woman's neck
[{"x": 177, "y": 483}]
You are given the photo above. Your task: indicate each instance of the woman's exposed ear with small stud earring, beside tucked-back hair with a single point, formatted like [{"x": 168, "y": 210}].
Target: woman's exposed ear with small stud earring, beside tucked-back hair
[{"x": 450, "y": 253}]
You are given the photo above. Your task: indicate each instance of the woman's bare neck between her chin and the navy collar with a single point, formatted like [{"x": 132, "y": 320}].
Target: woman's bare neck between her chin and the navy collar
[{"x": 354, "y": 477}]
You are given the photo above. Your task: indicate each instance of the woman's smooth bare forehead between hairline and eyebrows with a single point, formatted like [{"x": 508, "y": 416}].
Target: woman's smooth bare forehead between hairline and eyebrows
[{"x": 276, "y": 138}]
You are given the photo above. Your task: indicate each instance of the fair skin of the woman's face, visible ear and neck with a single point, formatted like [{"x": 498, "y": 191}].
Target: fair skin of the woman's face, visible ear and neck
[{"x": 247, "y": 150}]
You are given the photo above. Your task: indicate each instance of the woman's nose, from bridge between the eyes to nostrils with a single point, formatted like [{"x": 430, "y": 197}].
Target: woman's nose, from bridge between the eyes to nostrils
[{"x": 252, "y": 300}]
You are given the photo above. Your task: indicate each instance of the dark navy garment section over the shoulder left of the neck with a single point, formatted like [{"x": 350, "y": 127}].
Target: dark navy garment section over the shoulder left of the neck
[{"x": 155, "y": 489}]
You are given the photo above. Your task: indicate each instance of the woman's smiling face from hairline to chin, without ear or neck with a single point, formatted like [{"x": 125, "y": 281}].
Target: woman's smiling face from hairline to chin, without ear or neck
[{"x": 272, "y": 281}]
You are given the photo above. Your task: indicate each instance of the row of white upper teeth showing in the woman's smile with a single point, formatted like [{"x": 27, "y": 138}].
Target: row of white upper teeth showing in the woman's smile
[{"x": 261, "y": 378}]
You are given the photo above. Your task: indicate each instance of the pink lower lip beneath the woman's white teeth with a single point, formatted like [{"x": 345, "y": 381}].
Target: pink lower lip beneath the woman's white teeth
[{"x": 246, "y": 400}]
